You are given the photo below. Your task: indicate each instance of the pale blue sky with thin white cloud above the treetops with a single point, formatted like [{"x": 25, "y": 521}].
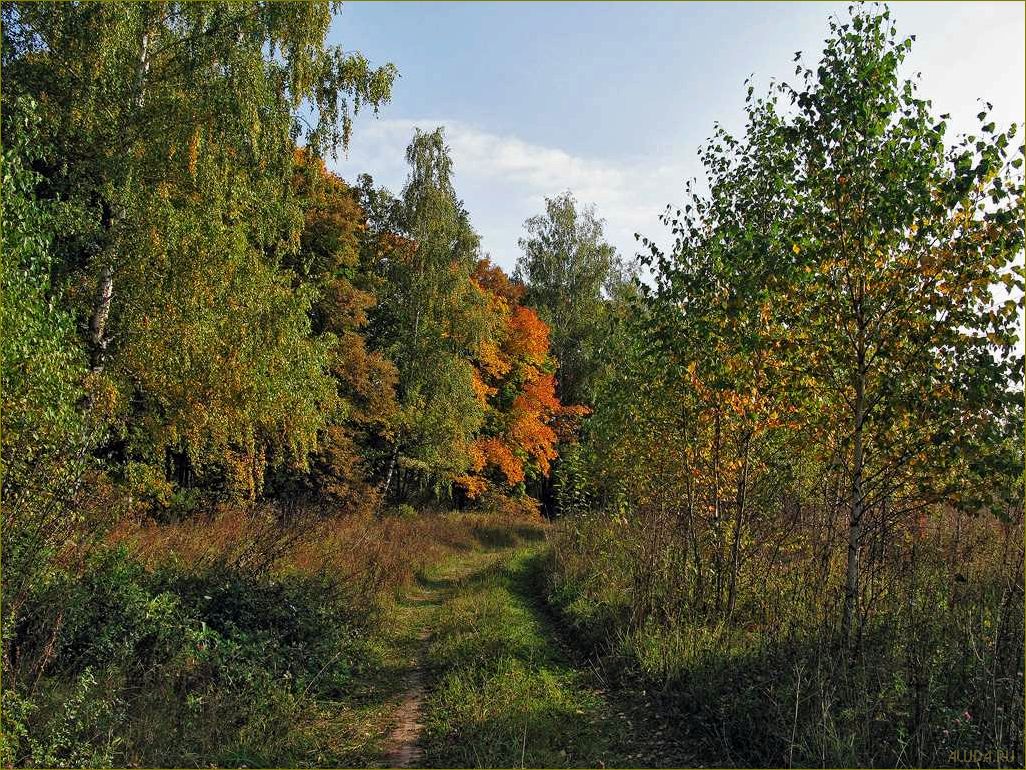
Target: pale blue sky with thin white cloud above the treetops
[{"x": 613, "y": 100}]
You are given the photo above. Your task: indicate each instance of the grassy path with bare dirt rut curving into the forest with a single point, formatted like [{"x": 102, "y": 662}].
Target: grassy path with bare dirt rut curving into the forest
[{"x": 492, "y": 680}]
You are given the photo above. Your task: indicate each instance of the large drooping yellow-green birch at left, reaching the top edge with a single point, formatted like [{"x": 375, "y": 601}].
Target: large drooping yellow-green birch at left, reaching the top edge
[{"x": 175, "y": 126}]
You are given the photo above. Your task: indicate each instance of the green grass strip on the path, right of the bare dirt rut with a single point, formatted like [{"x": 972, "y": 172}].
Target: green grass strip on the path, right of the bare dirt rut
[{"x": 504, "y": 694}]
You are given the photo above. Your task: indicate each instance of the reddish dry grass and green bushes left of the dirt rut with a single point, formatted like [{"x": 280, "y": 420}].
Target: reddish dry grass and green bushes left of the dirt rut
[{"x": 240, "y": 640}]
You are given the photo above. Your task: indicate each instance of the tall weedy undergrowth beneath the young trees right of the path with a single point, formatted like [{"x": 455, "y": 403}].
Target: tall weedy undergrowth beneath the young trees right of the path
[{"x": 935, "y": 675}]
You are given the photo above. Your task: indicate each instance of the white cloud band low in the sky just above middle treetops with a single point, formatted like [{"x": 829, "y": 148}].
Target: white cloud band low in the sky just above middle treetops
[{"x": 504, "y": 180}]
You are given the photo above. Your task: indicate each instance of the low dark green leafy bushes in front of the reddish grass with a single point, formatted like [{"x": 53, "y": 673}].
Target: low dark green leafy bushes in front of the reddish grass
[{"x": 122, "y": 666}]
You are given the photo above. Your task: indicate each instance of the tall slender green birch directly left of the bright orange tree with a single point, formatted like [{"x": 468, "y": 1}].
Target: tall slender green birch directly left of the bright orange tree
[{"x": 430, "y": 319}]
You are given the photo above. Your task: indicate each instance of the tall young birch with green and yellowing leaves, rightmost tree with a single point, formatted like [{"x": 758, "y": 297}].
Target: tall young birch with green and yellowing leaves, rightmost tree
[{"x": 897, "y": 247}]
